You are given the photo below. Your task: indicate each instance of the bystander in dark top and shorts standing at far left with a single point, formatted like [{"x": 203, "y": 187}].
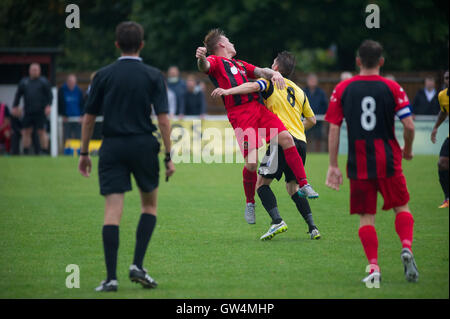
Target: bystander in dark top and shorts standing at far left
[{"x": 37, "y": 94}]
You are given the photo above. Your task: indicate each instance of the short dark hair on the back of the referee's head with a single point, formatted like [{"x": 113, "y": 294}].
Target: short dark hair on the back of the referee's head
[{"x": 129, "y": 36}]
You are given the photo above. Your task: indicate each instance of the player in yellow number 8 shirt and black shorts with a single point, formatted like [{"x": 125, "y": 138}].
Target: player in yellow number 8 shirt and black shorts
[{"x": 290, "y": 105}]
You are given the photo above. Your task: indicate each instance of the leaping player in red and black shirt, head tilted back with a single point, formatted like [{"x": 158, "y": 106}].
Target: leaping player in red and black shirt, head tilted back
[{"x": 250, "y": 119}]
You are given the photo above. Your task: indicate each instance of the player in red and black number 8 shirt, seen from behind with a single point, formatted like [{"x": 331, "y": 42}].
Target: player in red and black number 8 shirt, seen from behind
[{"x": 369, "y": 104}]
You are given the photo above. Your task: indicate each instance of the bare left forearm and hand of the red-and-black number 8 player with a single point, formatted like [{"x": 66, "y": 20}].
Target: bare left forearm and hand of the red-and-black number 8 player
[{"x": 334, "y": 175}]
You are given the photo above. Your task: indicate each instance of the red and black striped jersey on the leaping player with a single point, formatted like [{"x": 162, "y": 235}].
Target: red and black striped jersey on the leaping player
[{"x": 227, "y": 73}]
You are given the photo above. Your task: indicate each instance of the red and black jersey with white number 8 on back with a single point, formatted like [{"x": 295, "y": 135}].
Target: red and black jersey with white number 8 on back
[{"x": 369, "y": 105}]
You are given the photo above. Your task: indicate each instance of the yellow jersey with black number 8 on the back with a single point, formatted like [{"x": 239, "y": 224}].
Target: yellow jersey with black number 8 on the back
[{"x": 288, "y": 104}]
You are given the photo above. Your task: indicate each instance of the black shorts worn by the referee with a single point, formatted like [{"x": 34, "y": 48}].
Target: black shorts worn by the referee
[{"x": 125, "y": 155}]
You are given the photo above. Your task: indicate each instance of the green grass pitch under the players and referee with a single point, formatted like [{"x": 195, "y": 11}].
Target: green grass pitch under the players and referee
[{"x": 202, "y": 247}]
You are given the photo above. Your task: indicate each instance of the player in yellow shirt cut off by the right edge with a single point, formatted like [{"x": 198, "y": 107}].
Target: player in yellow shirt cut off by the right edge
[{"x": 443, "y": 155}]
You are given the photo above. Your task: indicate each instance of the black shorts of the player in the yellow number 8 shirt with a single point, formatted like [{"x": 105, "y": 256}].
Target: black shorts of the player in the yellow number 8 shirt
[{"x": 273, "y": 165}]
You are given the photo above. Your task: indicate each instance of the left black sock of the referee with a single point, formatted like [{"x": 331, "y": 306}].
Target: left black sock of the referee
[{"x": 110, "y": 235}]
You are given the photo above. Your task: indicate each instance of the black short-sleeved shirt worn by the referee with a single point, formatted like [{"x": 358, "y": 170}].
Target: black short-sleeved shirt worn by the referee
[{"x": 123, "y": 93}]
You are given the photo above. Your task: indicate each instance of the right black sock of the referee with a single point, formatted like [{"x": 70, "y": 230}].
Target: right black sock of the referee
[{"x": 143, "y": 234}]
